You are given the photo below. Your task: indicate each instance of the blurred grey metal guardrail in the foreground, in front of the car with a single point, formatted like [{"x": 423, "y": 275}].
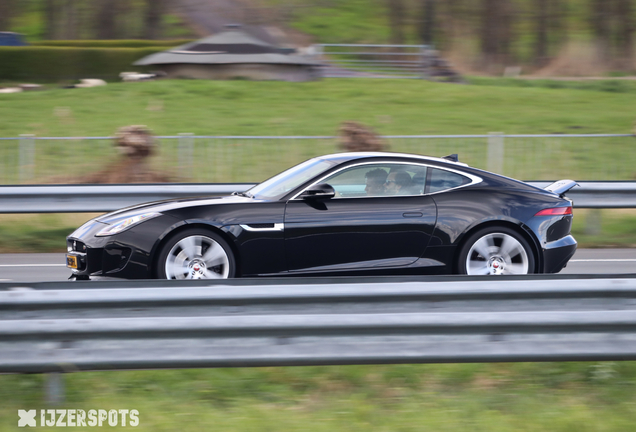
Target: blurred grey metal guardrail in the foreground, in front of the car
[{"x": 111, "y": 325}]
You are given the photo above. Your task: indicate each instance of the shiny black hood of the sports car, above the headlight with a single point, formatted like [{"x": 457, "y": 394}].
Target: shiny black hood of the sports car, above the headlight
[{"x": 167, "y": 205}]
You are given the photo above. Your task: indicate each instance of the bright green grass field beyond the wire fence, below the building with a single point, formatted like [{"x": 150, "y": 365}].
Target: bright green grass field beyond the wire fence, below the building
[{"x": 393, "y": 107}]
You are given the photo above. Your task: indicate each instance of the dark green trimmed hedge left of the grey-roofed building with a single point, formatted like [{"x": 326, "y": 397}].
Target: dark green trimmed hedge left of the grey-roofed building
[{"x": 53, "y": 64}]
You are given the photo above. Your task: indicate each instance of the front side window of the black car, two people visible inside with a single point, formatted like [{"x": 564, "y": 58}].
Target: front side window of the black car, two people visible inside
[{"x": 381, "y": 179}]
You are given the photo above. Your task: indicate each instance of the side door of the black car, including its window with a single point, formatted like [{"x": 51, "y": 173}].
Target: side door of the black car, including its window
[{"x": 361, "y": 227}]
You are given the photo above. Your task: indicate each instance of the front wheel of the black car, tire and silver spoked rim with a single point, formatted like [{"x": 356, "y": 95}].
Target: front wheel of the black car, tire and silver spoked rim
[{"x": 196, "y": 254}]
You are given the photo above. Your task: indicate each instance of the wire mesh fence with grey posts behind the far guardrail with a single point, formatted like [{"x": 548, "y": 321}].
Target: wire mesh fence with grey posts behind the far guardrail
[{"x": 218, "y": 159}]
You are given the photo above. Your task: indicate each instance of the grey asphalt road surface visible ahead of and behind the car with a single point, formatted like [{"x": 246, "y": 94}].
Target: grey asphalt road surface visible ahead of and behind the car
[{"x": 51, "y": 267}]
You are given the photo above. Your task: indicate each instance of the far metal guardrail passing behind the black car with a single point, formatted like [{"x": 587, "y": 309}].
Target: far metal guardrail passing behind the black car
[{"x": 102, "y": 198}]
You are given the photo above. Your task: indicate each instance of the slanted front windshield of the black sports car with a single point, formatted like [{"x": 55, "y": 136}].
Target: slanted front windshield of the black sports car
[{"x": 279, "y": 185}]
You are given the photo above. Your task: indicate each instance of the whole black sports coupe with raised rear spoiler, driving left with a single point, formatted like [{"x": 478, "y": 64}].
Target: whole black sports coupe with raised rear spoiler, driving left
[{"x": 346, "y": 213}]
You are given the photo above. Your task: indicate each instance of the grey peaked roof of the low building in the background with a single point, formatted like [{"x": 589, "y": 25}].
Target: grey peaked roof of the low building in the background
[{"x": 227, "y": 48}]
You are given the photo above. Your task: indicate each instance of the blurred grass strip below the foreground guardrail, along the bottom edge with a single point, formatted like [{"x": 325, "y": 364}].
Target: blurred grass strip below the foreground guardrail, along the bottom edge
[{"x": 523, "y": 397}]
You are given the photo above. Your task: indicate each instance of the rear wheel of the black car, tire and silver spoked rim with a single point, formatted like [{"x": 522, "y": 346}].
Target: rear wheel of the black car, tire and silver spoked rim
[{"x": 496, "y": 251}]
